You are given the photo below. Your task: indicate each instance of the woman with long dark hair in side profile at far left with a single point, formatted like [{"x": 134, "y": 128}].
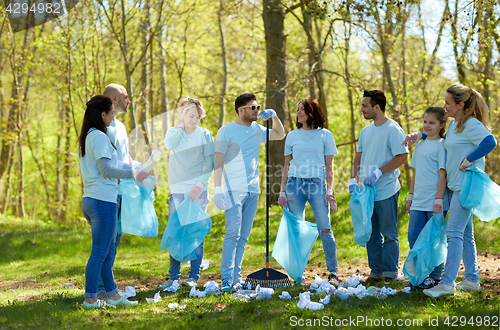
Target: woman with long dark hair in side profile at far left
[{"x": 100, "y": 171}]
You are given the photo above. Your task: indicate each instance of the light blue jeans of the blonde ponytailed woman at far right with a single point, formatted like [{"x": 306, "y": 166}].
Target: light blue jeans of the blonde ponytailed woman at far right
[{"x": 461, "y": 243}]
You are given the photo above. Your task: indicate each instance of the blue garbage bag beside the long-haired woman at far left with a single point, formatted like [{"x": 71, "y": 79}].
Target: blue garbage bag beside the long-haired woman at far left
[{"x": 138, "y": 215}]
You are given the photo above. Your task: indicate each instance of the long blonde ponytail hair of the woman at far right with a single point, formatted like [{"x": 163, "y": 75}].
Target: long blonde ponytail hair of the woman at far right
[{"x": 474, "y": 105}]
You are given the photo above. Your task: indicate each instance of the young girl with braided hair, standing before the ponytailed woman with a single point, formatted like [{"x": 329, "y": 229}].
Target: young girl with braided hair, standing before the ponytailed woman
[{"x": 428, "y": 186}]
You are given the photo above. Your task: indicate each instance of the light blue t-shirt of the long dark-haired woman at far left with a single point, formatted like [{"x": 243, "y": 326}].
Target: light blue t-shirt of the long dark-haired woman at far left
[{"x": 97, "y": 146}]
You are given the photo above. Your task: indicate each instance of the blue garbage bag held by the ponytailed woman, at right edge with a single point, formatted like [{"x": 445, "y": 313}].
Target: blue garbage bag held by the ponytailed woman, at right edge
[{"x": 480, "y": 193}]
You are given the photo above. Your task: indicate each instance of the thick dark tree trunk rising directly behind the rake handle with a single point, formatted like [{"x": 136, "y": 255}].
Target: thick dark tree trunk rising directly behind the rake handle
[{"x": 276, "y": 84}]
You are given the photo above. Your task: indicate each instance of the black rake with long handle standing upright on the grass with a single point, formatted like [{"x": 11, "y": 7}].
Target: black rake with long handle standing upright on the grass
[{"x": 267, "y": 277}]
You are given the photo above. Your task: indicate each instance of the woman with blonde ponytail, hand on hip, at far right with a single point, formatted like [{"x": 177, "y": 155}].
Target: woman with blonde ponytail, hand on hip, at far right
[{"x": 467, "y": 141}]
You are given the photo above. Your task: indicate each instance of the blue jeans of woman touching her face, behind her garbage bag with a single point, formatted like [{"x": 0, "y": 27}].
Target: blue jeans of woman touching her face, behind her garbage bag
[{"x": 175, "y": 266}]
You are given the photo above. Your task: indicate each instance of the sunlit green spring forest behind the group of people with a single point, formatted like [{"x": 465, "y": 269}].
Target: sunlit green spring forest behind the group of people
[{"x": 283, "y": 51}]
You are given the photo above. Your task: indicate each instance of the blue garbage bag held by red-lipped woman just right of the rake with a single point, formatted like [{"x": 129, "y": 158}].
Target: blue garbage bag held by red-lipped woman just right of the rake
[{"x": 294, "y": 243}]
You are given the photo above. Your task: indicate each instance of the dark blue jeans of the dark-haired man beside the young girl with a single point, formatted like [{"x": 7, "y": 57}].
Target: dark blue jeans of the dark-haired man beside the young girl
[{"x": 383, "y": 246}]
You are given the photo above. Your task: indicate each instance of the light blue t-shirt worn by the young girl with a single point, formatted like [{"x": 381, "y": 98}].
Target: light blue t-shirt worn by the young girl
[{"x": 428, "y": 158}]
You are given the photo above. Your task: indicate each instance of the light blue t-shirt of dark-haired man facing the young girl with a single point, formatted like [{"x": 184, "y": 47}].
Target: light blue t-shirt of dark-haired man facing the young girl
[{"x": 380, "y": 144}]
